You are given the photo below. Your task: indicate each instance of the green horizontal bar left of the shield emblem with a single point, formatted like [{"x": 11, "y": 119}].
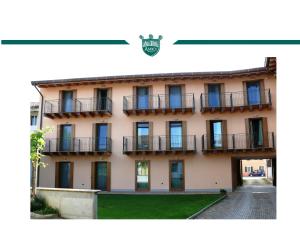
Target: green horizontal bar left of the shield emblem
[{"x": 64, "y": 42}]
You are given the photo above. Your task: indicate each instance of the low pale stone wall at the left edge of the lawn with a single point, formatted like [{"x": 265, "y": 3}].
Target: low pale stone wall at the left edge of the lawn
[{"x": 71, "y": 203}]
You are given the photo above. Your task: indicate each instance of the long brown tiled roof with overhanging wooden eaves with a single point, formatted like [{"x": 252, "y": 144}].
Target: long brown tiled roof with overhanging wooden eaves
[{"x": 269, "y": 68}]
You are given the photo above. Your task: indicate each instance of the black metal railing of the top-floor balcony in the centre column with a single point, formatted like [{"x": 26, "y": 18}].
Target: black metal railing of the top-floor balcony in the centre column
[{"x": 160, "y": 101}]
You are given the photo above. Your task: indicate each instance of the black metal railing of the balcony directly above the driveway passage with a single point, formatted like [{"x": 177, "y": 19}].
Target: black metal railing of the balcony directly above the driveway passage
[{"x": 237, "y": 142}]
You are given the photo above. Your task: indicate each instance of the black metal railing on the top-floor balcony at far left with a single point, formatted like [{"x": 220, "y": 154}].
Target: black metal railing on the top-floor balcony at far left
[{"x": 79, "y": 105}]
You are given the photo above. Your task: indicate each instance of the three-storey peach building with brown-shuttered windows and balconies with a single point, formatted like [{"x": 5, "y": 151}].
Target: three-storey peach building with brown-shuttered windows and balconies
[{"x": 158, "y": 132}]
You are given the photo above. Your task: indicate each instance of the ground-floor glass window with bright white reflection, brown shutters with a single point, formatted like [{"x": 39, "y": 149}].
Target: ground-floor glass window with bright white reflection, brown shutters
[{"x": 142, "y": 175}]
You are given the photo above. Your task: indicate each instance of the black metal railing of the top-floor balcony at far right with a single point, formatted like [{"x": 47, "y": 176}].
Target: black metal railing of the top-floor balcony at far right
[{"x": 235, "y": 99}]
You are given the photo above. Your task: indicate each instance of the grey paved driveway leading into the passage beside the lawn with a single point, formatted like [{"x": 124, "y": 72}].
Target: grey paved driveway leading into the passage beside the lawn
[{"x": 247, "y": 202}]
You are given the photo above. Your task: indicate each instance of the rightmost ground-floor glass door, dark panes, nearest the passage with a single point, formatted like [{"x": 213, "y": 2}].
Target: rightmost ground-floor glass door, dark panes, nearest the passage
[{"x": 176, "y": 175}]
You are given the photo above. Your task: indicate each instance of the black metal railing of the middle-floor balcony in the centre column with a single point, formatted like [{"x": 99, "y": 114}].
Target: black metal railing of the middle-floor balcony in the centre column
[{"x": 159, "y": 144}]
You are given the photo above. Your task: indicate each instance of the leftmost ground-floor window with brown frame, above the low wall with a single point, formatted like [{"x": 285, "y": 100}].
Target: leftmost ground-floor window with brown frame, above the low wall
[{"x": 64, "y": 175}]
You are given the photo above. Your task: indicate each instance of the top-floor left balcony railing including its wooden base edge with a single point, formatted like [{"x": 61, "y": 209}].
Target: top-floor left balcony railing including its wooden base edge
[{"x": 79, "y": 106}]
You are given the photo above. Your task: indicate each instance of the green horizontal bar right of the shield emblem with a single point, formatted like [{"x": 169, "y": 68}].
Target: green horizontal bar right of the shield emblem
[{"x": 237, "y": 42}]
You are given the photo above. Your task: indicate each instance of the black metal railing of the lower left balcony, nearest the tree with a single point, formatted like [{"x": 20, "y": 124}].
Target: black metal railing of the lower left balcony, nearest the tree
[{"x": 78, "y": 145}]
